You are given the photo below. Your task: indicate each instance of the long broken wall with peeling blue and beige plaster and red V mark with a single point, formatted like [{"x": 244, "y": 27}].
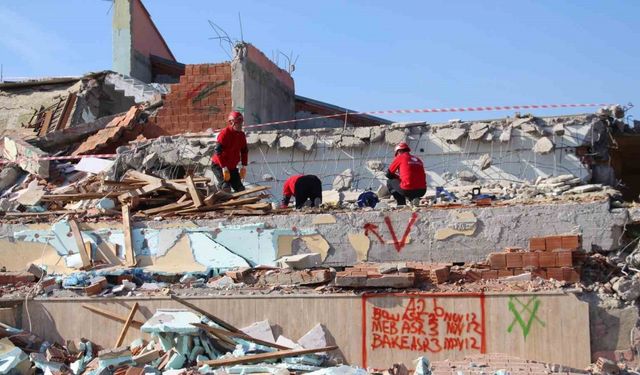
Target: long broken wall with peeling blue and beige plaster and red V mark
[{"x": 434, "y": 235}]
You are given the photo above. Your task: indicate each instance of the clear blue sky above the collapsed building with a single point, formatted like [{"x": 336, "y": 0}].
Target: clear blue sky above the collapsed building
[{"x": 370, "y": 55}]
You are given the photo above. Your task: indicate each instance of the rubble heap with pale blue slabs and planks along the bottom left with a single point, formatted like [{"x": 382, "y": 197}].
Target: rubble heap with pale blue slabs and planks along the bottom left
[{"x": 180, "y": 340}]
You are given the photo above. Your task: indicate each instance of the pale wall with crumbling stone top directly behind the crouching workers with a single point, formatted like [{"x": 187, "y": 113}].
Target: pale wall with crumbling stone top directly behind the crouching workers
[{"x": 447, "y": 151}]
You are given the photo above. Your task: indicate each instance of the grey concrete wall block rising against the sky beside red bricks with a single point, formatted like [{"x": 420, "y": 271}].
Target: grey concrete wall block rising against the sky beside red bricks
[{"x": 261, "y": 90}]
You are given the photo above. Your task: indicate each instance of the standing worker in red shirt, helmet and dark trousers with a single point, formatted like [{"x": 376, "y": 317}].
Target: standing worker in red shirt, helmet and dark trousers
[{"x": 230, "y": 149}]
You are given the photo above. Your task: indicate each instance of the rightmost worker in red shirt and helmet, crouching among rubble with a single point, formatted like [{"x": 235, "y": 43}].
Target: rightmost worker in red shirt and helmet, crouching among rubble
[{"x": 407, "y": 179}]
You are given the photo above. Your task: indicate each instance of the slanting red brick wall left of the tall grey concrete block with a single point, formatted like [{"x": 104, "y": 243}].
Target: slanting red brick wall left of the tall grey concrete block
[{"x": 201, "y": 100}]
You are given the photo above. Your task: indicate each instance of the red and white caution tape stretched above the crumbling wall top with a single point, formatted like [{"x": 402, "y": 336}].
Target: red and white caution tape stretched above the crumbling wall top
[{"x": 438, "y": 110}]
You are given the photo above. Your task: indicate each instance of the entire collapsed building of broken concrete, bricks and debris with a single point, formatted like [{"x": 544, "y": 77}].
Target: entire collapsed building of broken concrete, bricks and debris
[{"x": 526, "y": 238}]
